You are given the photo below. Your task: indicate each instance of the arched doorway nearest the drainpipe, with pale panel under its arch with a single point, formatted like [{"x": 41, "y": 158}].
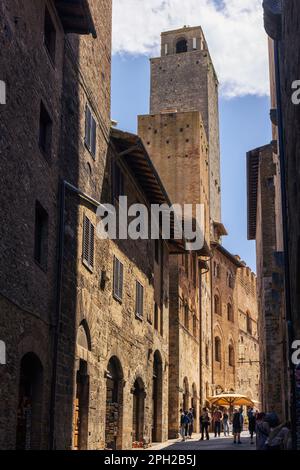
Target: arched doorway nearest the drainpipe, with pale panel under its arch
[{"x": 82, "y": 392}]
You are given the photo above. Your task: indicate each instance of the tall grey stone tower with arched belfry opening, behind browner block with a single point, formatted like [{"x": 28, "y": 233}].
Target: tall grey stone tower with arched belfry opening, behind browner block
[{"x": 183, "y": 79}]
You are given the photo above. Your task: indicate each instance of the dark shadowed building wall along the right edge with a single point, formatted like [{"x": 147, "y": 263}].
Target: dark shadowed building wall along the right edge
[{"x": 281, "y": 21}]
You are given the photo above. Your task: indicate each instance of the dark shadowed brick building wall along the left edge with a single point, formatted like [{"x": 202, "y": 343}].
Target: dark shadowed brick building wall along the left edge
[{"x": 32, "y": 61}]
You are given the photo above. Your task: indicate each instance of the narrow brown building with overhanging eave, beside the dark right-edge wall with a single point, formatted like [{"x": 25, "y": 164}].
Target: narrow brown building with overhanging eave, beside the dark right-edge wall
[{"x": 262, "y": 227}]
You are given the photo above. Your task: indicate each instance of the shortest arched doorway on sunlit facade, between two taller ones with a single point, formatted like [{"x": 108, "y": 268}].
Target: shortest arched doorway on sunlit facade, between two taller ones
[{"x": 138, "y": 411}]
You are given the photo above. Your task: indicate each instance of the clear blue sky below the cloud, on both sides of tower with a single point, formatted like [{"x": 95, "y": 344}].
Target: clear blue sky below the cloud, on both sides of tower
[{"x": 244, "y": 124}]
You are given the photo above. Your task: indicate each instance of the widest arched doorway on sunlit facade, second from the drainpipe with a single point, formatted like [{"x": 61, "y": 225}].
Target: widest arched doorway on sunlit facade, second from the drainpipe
[{"x": 114, "y": 404}]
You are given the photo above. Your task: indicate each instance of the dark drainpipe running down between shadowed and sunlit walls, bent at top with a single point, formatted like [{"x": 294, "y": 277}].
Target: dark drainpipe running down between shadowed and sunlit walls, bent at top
[{"x": 64, "y": 185}]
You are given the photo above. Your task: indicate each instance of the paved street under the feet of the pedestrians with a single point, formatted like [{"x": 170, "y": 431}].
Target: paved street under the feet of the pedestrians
[{"x": 219, "y": 443}]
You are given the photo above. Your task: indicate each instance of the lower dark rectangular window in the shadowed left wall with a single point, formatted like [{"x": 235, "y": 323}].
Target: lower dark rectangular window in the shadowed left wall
[{"x": 41, "y": 236}]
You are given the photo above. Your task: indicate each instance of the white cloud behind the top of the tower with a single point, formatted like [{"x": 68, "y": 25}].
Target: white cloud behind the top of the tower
[{"x": 233, "y": 29}]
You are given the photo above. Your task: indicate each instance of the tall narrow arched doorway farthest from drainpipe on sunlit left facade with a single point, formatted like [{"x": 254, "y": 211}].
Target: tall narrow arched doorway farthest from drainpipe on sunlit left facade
[{"x": 157, "y": 398}]
